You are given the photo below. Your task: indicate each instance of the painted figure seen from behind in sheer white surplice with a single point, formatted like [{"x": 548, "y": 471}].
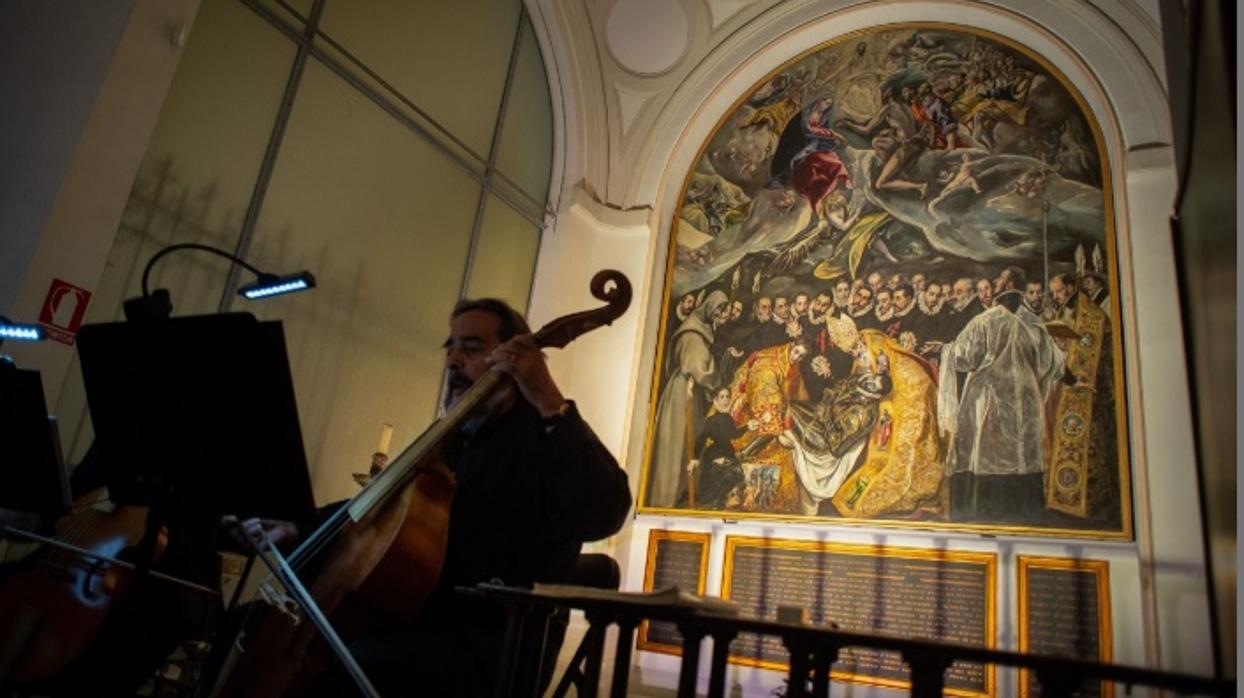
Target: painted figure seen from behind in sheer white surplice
[{"x": 996, "y": 457}]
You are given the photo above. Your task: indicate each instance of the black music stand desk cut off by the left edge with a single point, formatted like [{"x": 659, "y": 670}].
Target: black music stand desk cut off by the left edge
[{"x": 32, "y": 476}]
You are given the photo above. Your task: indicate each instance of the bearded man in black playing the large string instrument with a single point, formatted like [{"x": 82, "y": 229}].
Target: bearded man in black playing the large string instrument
[{"x": 533, "y": 485}]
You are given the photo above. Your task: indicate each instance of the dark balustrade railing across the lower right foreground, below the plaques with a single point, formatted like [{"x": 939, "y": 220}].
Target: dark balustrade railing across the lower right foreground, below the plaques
[{"x": 813, "y": 650}]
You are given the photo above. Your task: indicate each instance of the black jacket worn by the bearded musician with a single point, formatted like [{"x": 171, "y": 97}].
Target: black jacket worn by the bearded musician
[{"x": 529, "y": 495}]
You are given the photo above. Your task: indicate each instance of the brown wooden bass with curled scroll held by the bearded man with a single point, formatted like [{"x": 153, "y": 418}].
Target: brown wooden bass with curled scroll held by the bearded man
[{"x": 380, "y": 556}]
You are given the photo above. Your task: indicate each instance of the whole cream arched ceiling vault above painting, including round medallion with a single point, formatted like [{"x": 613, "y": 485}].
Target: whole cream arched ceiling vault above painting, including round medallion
[{"x": 630, "y": 77}]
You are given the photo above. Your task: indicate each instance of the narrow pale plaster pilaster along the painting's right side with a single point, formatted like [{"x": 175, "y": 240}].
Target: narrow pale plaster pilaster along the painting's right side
[{"x": 1169, "y": 537}]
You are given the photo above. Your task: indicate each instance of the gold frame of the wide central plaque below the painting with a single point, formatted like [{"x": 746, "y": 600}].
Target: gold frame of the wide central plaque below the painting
[{"x": 988, "y": 561}]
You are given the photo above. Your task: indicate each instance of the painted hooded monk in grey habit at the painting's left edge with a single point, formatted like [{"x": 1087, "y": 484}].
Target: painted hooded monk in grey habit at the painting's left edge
[{"x": 692, "y": 378}]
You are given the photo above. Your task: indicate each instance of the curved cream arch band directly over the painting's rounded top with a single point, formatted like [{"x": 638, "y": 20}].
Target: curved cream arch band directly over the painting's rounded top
[{"x": 1107, "y": 67}]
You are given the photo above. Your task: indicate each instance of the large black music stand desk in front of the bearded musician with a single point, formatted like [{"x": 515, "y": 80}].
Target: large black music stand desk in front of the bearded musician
[{"x": 202, "y": 407}]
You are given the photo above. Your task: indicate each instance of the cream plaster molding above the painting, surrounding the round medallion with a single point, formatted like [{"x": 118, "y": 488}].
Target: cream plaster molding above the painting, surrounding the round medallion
[{"x": 631, "y": 126}]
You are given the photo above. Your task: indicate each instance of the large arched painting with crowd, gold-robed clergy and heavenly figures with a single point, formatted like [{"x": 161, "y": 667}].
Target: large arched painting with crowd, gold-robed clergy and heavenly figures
[{"x": 893, "y": 299}]
